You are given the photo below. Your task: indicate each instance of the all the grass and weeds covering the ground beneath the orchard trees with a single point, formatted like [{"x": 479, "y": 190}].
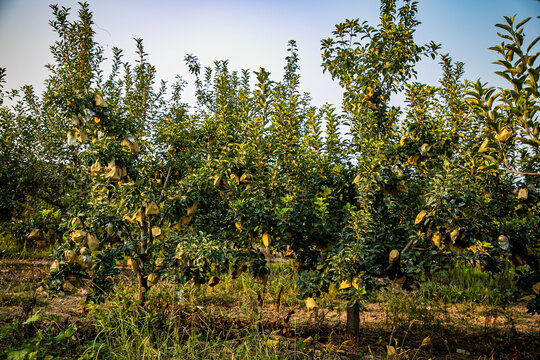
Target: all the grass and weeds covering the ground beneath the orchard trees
[{"x": 228, "y": 322}]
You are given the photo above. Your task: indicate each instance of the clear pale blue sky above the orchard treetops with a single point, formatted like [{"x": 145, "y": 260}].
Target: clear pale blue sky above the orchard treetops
[{"x": 252, "y": 34}]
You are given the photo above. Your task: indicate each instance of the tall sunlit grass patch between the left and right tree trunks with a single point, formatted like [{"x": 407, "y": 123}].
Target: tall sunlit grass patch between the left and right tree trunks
[{"x": 201, "y": 322}]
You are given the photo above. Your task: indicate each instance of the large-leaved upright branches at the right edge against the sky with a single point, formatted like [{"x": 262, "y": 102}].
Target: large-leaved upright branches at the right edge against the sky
[{"x": 512, "y": 110}]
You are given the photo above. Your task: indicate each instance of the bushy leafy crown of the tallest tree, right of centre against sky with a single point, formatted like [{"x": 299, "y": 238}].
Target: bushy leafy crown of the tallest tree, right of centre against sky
[{"x": 374, "y": 67}]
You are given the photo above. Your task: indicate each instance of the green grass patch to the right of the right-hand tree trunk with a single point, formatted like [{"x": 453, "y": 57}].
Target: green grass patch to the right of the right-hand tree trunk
[{"x": 428, "y": 308}]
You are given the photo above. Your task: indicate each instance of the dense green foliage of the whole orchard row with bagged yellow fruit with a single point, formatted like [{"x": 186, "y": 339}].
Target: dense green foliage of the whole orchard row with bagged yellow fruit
[{"x": 127, "y": 173}]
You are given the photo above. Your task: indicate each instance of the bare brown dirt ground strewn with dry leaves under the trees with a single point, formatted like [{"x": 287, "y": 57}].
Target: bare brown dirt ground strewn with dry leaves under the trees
[{"x": 460, "y": 332}]
